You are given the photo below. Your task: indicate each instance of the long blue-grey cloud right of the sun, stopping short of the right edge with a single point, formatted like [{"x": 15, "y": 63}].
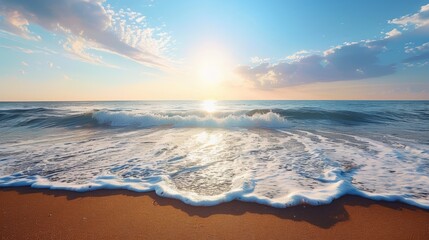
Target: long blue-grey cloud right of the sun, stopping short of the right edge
[{"x": 350, "y": 61}]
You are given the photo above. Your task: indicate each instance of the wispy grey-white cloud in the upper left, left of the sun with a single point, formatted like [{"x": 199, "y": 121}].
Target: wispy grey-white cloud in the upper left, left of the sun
[{"x": 87, "y": 21}]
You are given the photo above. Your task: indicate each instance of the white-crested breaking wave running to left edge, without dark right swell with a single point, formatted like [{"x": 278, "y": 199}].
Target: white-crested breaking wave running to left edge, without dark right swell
[{"x": 109, "y": 118}]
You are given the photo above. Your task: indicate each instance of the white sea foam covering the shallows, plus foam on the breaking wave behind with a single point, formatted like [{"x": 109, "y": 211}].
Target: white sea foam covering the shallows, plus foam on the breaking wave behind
[{"x": 207, "y": 166}]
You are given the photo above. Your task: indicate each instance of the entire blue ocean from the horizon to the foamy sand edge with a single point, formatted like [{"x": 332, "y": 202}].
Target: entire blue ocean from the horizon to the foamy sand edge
[{"x": 277, "y": 153}]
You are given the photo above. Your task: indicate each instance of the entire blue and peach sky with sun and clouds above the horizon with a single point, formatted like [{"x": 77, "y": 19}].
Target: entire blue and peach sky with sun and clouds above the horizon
[{"x": 198, "y": 49}]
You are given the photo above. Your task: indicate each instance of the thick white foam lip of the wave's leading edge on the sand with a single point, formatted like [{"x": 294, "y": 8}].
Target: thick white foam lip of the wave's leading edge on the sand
[{"x": 242, "y": 193}]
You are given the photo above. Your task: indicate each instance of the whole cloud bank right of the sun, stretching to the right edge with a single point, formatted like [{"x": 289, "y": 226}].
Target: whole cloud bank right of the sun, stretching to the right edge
[{"x": 349, "y": 61}]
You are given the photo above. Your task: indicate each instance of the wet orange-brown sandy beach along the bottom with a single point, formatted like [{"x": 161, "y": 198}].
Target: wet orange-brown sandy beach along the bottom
[{"x": 118, "y": 214}]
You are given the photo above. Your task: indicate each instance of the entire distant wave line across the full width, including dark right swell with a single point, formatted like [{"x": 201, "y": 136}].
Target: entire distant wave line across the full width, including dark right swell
[{"x": 263, "y": 118}]
